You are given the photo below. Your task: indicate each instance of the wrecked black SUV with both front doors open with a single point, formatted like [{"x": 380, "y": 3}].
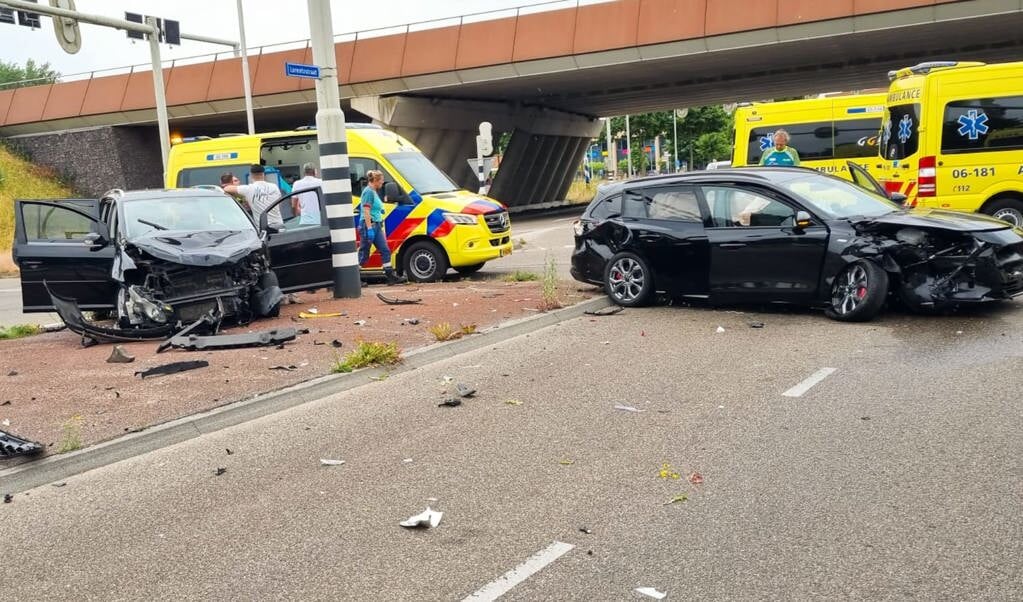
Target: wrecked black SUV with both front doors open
[{"x": 160, "y": 260}]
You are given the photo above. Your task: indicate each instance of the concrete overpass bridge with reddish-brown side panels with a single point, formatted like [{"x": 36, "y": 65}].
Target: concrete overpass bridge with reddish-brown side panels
[{"x": 546, "y": 77}]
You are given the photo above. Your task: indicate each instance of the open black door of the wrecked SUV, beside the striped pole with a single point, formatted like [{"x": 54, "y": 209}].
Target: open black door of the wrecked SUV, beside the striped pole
[{"x": 300, "y": 253}]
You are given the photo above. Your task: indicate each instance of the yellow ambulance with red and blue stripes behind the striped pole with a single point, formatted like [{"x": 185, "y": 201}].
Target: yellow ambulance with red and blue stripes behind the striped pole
[{"x": 431, "y": 224}]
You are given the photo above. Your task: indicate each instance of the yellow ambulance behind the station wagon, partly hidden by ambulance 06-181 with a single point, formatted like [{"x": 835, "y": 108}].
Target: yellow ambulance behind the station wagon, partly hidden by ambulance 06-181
[{"x": 827, "y": 133}]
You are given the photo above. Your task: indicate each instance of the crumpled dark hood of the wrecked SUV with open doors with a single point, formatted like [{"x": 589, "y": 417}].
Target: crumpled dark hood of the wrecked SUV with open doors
[{"x": 205, "y": 249}]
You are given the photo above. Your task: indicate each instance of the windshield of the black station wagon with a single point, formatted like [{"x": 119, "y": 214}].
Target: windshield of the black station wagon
[{"x": 837, "y": 199}]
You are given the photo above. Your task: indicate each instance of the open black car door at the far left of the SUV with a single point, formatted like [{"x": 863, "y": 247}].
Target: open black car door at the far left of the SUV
[{"x": 64, "y": 245}]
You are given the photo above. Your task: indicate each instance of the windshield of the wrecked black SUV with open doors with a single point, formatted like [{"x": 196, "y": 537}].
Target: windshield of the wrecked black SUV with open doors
[{"x": 207, "y": 213}]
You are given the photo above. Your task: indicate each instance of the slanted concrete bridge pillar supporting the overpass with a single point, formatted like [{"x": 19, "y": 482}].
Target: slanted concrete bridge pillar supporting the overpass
[{"x": 545, "y": 151}]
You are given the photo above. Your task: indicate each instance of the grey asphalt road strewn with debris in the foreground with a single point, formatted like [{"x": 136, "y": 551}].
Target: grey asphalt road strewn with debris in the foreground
[{"x": 898, "y": 476}]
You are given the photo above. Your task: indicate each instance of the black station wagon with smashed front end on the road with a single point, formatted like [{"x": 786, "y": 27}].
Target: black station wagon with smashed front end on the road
[{"x": 790, "y": 236}]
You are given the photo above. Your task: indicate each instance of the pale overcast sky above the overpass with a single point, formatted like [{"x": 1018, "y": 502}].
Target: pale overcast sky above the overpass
[{"x": 268, "y": 22}]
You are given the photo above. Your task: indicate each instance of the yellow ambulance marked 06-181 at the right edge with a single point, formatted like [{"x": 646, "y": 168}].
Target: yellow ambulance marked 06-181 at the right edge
[{"x": 953, "y": 138}]
